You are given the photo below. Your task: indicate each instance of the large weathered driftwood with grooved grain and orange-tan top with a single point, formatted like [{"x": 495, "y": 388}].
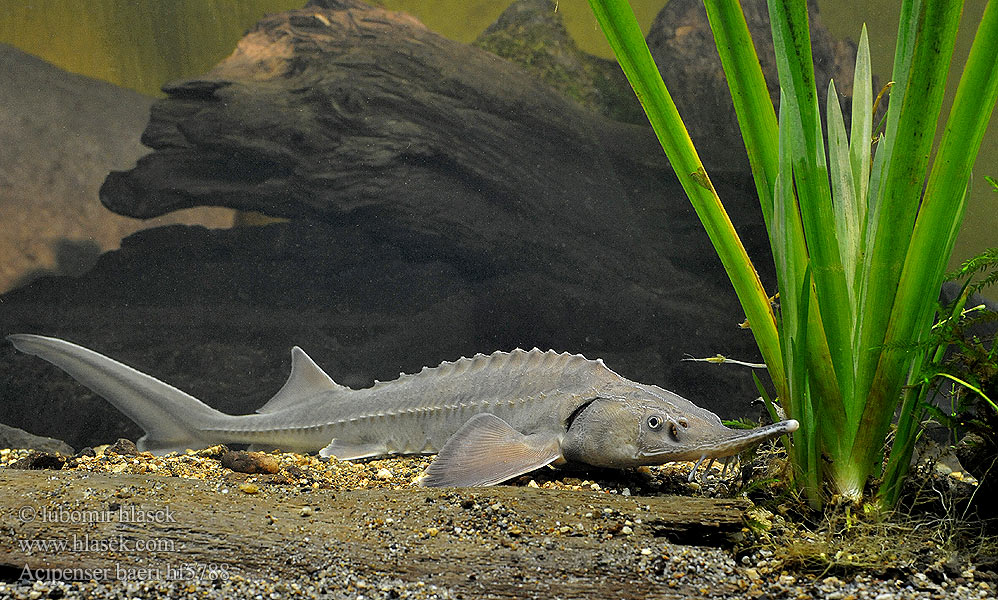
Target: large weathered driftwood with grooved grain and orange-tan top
[{"x": 361, "y": 116}]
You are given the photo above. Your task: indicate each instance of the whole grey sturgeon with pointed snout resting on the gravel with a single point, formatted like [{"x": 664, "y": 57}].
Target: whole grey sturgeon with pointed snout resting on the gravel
[{"x": 488, "y": 418}]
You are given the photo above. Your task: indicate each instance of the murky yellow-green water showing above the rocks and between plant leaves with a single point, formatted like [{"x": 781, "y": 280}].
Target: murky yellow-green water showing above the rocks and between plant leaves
[{"x": 141, "y": 45}]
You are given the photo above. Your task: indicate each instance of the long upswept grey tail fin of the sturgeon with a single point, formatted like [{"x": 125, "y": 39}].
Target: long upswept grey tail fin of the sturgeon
[{"x": 171, "y": 418}]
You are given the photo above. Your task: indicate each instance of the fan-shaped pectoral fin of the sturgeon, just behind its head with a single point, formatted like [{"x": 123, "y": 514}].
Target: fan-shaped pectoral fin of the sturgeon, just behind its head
[{"x": 487, "y": 451}]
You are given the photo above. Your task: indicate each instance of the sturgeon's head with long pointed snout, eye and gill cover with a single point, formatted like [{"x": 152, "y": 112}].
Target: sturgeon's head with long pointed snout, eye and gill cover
[{"x": 652, "y": 426}]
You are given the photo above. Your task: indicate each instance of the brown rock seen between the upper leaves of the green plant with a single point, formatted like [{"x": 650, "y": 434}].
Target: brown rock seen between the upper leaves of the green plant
[{"x": 683, "y": 48}]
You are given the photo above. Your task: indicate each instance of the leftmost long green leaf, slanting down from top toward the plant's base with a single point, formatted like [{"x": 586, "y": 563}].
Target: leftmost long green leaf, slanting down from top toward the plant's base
[{"x": 624, "y": 35}]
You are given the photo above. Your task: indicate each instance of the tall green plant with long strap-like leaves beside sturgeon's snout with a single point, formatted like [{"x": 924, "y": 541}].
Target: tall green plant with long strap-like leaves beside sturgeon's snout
[{"x": 860, "y": 235}]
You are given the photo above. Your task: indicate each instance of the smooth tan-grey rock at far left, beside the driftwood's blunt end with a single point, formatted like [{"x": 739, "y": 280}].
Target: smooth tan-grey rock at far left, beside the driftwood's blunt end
[{"x": 62, "y": 134}]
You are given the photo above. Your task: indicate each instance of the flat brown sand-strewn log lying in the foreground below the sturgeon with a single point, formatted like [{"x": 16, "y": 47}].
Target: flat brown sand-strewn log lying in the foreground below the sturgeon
[{"x": 491, "y": 542}]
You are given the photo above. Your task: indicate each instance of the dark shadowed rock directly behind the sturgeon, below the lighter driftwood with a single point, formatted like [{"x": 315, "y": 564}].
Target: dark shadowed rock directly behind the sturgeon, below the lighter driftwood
[{"x": 215, "y": 313}]
